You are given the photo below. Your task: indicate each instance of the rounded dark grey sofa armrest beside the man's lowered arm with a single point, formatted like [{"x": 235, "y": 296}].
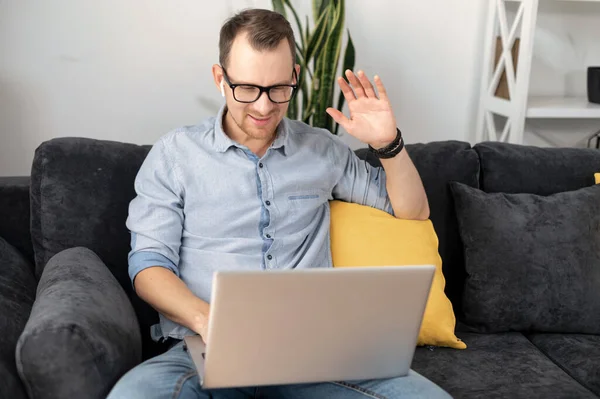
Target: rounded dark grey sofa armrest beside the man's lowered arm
[{"x": 82, "y": 335}]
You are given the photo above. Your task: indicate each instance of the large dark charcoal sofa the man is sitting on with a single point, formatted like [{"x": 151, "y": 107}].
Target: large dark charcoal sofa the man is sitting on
[{"x": 71, "y": 324}]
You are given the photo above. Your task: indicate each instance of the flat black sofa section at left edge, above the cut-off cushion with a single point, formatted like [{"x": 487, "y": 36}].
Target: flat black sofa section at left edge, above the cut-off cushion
[{"x": 14, "y": 214}]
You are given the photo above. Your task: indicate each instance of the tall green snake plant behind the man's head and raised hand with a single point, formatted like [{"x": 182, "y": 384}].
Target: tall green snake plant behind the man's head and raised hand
[{"x": 318, "y": 53}]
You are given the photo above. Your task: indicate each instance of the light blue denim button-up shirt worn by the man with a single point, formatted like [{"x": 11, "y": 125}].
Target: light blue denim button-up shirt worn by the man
[{"x": 206, "y": 203}]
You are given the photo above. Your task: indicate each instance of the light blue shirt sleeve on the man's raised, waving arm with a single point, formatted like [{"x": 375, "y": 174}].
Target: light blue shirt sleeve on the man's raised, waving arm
[{"x": 358, "y": 181}]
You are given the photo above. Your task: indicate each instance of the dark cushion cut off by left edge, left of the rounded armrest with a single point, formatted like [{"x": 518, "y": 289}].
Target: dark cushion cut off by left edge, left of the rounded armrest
[{"x": 17, "y": 293}]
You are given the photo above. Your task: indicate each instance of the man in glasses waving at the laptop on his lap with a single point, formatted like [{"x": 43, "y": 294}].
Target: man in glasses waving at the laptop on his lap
[{"x": 249, "y": 189}]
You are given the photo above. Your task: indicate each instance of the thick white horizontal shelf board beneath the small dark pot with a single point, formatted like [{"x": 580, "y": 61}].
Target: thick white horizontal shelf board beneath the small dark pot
[{"x": 562, "y": 107}]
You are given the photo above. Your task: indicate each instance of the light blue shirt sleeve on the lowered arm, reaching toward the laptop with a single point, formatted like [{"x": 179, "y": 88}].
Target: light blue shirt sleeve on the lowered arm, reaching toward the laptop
[{"x": 155, "y": 217}]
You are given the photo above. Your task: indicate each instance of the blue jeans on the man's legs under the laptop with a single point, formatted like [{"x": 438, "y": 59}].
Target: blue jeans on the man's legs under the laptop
[{"x": 172, "y": 375}]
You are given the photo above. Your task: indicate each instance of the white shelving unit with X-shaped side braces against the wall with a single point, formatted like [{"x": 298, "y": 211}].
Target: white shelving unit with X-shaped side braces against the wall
[{"x": 521, "y": 106}]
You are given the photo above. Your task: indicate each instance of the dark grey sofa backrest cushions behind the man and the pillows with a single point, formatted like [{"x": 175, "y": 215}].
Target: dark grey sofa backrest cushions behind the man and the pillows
[{"x": 81, "y": 189}]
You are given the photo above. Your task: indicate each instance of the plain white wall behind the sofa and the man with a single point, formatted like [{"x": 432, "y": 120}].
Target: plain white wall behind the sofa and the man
[{"x": 131, "y": 70}]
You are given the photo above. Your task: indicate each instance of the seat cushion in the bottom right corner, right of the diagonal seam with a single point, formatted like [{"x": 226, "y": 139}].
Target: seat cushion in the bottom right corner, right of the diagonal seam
[{"x": 577, "y": 354}]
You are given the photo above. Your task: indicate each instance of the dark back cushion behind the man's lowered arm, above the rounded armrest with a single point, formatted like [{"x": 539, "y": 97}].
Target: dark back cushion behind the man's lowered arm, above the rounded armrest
[{"x": 80, "y": 194}]
